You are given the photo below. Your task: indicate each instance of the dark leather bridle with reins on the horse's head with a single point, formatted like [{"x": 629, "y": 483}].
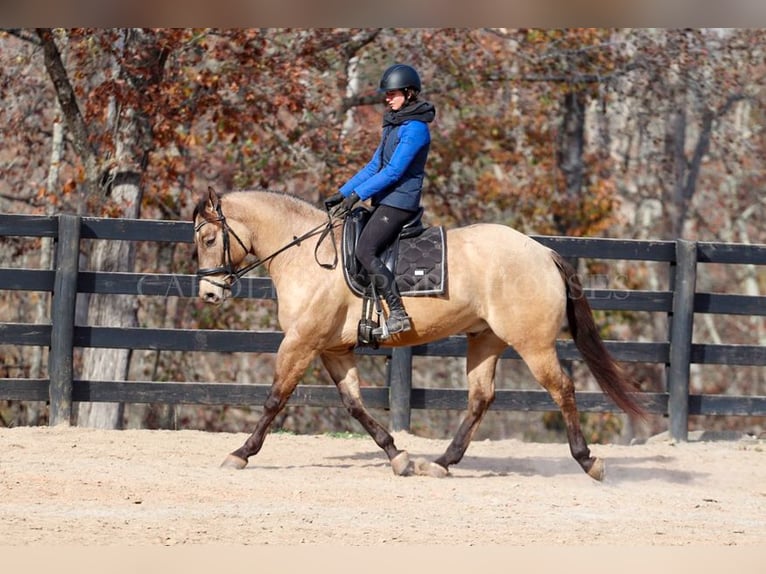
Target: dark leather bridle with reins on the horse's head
[{"x": 231, "y": 275}]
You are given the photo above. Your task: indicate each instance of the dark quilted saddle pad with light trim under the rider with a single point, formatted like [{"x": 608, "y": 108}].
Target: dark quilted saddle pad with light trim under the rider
[{"x": 419, "y": 264}]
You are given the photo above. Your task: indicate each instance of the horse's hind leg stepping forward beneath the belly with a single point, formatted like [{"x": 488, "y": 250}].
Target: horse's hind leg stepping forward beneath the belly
[{"x": 481, "y": 360}]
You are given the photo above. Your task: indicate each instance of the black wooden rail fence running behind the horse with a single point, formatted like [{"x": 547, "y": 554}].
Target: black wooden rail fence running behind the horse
[{"x": 679, "y": 302}]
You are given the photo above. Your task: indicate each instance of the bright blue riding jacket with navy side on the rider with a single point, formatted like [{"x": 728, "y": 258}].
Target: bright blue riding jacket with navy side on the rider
[{"x": 394, "y": 176}]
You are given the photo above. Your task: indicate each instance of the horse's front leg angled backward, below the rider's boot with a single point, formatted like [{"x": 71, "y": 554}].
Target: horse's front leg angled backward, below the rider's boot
[{"x": 343, "y": 370}]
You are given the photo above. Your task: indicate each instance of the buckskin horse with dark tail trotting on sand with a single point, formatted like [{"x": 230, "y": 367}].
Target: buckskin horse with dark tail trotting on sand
[{"x": 504, "y": 290}]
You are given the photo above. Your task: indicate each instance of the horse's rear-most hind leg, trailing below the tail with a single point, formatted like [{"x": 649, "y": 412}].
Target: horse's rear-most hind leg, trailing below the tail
[{"x": 547, "y": 370}]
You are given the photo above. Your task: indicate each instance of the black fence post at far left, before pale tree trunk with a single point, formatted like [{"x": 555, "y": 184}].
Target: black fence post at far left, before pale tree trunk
[{"x": 62, "y": 319}]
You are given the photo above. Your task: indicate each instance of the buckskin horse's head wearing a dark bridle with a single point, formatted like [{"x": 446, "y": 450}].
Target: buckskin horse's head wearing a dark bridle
[{"x": 220, "y": 248}]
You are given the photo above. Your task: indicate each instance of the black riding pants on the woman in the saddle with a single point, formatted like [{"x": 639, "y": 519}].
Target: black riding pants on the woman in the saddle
[{"x": 380, "y": 231}]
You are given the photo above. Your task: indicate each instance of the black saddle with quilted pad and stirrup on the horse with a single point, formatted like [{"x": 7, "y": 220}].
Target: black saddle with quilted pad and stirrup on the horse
[{"x": 417, "y": 258}]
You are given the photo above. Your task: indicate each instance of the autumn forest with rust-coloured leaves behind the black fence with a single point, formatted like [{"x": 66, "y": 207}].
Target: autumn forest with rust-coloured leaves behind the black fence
[{"x": 624, "y": 133}]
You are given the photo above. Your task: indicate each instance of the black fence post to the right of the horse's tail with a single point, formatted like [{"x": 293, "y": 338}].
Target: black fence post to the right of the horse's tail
[{"x": 682, "y": 324}]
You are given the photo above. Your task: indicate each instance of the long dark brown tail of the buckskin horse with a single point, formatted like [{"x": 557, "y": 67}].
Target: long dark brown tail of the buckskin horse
[{"x": 610, "y": 376}]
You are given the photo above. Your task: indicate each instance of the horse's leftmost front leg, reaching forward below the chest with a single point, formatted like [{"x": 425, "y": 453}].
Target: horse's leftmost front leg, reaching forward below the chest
[{"x": 293, "y": 357}]
